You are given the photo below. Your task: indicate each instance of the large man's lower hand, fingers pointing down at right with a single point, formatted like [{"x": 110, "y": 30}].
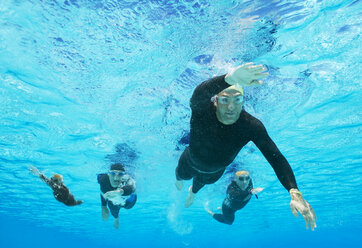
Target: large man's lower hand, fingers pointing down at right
[{"x": 298, "y": 204}]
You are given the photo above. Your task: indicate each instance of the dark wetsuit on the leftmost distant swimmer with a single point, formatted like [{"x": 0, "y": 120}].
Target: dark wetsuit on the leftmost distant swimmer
[{"x": 61, "y": 192}]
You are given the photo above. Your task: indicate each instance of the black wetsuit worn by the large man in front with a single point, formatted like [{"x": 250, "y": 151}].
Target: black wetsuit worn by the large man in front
[{"x": 213, "y": 145}]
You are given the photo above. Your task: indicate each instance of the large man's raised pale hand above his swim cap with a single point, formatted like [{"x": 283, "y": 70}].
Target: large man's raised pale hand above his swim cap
[{"x": 247, "y": 75}]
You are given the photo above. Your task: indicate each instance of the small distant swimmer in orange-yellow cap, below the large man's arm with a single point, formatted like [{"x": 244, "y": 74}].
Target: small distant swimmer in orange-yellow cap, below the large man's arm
[{"x": 238, "y": 194}]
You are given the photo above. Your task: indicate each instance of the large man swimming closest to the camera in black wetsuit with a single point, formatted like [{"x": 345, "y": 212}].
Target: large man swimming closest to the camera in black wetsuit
[{"x": 220, "y": 128}]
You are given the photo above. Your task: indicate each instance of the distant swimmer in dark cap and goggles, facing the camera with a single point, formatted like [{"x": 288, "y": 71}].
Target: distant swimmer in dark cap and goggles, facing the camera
[{"x": 117, "y": 191}]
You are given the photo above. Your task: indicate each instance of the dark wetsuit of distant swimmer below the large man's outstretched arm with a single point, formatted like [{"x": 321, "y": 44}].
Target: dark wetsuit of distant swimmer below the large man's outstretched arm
[{"x": 236, "y": 199}]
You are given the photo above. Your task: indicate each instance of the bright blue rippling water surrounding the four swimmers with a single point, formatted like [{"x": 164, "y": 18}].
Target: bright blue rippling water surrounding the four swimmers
[{"x": 78, "y": 77}]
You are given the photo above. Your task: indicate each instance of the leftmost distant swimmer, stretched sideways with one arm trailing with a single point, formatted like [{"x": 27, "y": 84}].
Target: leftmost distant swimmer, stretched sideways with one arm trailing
[{"x": 60, "y": 191}]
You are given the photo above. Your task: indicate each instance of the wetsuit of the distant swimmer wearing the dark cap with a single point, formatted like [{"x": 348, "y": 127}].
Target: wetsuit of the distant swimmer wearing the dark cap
[{"x": 128, "y": 187}]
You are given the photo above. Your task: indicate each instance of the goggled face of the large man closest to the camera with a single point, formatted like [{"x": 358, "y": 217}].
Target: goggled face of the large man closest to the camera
[{"x": 229, "y": 104}]
